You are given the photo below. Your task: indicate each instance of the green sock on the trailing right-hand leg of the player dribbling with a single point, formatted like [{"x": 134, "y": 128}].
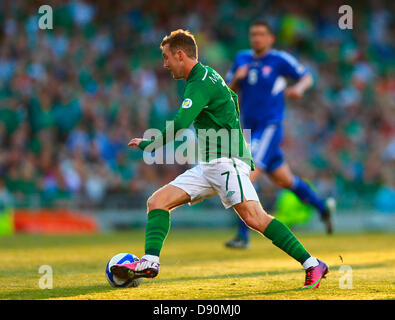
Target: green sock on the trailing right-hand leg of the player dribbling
[{"x": 283, "y": 238}]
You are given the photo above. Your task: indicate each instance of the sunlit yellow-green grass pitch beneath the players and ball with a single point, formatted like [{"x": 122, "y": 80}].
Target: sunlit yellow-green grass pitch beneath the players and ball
[{"x": 196, "y": 265}]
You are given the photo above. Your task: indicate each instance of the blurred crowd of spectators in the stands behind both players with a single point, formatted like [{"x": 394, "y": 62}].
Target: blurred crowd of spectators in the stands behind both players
[{"x": 72, "y": 97}]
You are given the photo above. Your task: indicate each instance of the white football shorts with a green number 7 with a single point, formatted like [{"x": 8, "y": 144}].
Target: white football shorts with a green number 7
[{"x": 227, "y": 177}]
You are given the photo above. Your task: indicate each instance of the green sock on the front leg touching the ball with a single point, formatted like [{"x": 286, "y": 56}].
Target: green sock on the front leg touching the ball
[{"x": 158, "y": 226}]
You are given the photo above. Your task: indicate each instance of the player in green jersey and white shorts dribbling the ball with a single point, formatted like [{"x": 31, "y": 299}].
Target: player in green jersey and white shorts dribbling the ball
[{"x": 224, "y": 167}]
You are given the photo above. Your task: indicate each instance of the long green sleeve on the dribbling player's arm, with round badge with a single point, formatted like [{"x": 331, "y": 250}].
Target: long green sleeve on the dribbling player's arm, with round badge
[{"x": 196, "y": 97}]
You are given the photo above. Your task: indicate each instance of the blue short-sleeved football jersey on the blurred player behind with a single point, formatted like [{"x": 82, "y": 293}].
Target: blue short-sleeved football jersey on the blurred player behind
[{"x": 262, "y": 91}]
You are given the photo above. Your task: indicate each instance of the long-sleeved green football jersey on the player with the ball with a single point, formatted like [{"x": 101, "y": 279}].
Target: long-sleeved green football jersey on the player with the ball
[{"x": 213, "y": 109}]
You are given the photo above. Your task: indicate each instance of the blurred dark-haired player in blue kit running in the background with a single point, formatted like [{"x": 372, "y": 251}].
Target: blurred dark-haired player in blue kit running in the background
[{"x": 259, "y": 76}]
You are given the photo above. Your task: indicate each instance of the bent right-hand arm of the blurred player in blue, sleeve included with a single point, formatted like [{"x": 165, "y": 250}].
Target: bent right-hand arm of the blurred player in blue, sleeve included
[{"x": 292, "y": 68}]
